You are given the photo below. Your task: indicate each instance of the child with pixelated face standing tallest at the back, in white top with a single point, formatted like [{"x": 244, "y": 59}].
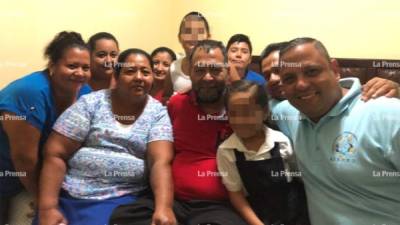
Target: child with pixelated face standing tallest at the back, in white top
[{"x": 193, "y": 28}]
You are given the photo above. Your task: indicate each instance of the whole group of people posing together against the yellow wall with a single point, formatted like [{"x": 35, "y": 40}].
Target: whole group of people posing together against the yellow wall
[{"x": 108, "y": 137}]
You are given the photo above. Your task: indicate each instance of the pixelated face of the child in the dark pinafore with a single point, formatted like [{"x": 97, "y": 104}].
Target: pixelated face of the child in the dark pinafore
[{"x": 245, "y": 115}]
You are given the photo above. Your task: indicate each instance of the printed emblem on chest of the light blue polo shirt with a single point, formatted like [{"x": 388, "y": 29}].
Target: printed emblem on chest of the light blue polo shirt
[{"x": 345, "y": 148}]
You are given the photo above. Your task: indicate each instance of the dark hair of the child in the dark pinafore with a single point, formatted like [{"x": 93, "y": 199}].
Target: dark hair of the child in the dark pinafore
[{"x": 238, "y": 86}]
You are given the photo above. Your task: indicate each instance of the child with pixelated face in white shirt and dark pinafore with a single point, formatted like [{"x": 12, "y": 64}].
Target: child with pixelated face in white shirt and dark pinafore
[{"x": 255, "y": 162}]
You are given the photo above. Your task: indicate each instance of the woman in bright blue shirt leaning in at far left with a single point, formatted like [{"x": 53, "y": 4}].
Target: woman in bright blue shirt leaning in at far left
[{"x": 29, "y": 106}]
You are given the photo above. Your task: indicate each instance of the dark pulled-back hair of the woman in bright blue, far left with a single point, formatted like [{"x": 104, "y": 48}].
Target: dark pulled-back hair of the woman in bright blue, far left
[{"x": 61, "y": 42}]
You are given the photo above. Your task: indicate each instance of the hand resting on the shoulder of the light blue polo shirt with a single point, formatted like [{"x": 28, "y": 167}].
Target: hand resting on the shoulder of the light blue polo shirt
[{"x": 377, "y": 87}]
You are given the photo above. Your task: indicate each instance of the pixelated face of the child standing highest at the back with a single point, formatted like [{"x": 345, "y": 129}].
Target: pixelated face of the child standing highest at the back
[{"x": 192, "y": 31}]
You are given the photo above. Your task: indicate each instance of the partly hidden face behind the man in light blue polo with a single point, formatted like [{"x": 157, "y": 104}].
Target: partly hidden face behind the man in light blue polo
[{"x": 270, "y": 69}]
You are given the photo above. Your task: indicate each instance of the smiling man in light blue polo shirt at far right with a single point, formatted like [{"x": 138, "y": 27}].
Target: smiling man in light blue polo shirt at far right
[{"x": 348, "y": 150}]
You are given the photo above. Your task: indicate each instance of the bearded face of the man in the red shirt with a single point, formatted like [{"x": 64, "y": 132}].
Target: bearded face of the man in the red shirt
[{"x": 208, "y": 73}]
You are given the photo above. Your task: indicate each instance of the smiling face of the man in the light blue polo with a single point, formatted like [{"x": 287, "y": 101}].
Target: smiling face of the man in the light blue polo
[{"x": 309, "y": 81}]
